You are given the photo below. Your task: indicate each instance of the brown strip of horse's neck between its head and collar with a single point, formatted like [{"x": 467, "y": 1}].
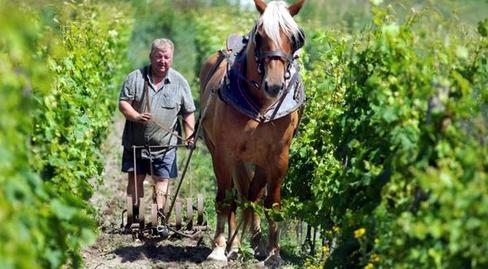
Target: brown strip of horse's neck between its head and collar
[{"x": 252, "y": 75}]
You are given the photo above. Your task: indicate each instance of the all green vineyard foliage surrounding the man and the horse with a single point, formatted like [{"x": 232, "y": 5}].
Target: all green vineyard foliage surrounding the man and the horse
[{"x": 390, "y": 163}]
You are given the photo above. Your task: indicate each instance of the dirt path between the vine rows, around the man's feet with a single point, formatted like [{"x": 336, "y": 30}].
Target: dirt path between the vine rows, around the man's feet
[{"x": 120, "y": 251}]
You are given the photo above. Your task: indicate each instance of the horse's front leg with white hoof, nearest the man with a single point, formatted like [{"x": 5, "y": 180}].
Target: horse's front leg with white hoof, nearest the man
[{"x": 223, "y": 205}]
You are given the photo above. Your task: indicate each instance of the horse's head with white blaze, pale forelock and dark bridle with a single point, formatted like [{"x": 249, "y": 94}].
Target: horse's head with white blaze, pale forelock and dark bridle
[{"x": 275, "y": 38}]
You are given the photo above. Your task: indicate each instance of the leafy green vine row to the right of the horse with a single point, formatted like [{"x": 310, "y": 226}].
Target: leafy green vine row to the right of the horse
[{"x": 393, "y": 143}]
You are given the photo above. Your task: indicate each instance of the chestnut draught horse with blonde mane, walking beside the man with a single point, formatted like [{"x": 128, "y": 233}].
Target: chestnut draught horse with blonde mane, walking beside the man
[{"x": 239, "y": 143}]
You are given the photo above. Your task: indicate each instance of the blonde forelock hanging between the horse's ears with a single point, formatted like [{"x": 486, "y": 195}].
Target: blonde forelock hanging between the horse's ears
[{"x": 275, "y": 17}]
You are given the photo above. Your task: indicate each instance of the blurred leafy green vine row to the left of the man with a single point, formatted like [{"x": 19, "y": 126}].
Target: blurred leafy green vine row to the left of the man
[{"x": 59, "y": 63}]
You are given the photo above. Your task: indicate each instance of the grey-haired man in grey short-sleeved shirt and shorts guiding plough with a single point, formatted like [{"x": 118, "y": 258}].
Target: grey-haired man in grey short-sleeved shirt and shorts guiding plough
[{"x": 151, "y": 99}]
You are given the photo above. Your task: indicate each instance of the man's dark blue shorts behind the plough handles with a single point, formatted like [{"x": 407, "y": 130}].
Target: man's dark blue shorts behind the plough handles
[{"x": 164, "y": 166}]
